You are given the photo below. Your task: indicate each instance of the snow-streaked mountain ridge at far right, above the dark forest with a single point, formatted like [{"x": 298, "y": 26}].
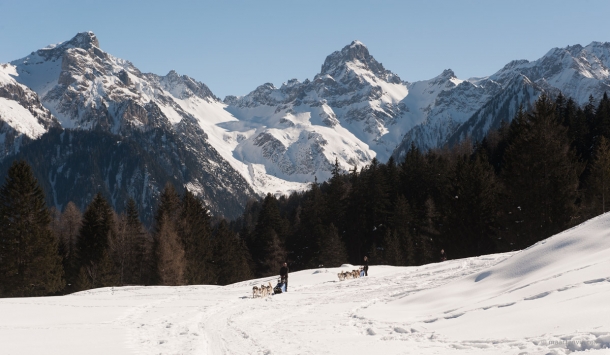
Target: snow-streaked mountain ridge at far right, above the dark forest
[{"x": 575, "y": 71}]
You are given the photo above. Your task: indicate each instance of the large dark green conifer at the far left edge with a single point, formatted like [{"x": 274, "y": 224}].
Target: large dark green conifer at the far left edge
[{"x": 29, "y": 260}]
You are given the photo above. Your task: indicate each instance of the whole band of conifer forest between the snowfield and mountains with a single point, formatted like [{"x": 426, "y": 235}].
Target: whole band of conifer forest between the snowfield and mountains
[{"x": 548, "y": 170}]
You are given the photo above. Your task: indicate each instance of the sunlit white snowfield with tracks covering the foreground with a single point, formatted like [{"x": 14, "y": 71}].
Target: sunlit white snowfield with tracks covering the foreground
[{"x": 551, "y": 298}]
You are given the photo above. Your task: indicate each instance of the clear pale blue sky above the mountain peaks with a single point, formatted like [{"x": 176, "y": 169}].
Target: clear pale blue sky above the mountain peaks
[{"x": 234, "y": 46}]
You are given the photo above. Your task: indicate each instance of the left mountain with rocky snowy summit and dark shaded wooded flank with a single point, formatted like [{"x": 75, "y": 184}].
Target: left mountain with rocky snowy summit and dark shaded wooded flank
[{"x": 90, "y": 93}]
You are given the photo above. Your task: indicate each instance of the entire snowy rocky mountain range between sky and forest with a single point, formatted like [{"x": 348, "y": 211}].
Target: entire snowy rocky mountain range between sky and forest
[{"x": 271, "y": 140}]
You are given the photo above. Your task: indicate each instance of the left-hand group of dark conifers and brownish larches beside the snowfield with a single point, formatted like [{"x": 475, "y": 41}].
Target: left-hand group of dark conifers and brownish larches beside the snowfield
[{"x": 46, "y": 252}]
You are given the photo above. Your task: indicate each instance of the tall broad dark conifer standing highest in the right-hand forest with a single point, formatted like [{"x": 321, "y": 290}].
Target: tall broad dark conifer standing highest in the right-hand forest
[{"x": 541, "y": 175}]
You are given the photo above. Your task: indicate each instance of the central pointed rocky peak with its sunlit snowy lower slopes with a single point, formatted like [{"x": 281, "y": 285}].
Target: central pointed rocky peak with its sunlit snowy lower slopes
[{"x": 297, "y": 131}]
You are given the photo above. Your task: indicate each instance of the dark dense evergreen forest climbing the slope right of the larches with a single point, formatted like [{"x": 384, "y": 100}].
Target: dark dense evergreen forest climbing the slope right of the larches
[{"x": 546, "y": 171}]
